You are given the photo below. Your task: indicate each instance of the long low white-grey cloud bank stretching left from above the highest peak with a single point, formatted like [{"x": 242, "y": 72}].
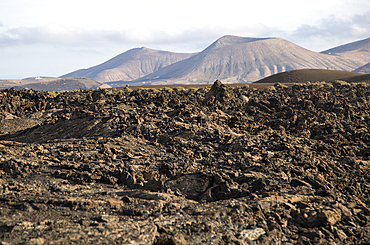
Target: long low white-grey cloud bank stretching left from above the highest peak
[{"x": 56, "y": 33}]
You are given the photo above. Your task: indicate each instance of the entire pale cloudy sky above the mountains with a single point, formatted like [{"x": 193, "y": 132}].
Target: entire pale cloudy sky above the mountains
[{"x": 55, "y": 37}]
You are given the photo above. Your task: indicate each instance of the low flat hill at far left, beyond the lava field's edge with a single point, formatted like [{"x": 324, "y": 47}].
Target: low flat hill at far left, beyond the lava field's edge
[{"x": 60, "y": 84}]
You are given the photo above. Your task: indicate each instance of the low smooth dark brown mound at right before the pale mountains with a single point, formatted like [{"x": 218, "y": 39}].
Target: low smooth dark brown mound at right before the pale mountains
[{"x": 313, "y": 75}]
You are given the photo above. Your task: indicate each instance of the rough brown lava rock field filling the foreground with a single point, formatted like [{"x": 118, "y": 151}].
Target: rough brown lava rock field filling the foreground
[{"x": 282, "y": 165}]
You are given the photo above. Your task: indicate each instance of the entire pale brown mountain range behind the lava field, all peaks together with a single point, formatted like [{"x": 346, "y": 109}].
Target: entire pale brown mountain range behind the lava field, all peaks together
[{"x": 232, "y": 59}]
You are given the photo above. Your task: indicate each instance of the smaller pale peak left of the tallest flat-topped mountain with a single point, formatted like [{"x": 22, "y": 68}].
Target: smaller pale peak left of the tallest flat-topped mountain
[{"x": 130, "y": 65}]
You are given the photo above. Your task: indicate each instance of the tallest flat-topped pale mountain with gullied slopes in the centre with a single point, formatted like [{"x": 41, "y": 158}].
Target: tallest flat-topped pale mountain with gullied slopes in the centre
[{"x": 235, "y": 59}]
